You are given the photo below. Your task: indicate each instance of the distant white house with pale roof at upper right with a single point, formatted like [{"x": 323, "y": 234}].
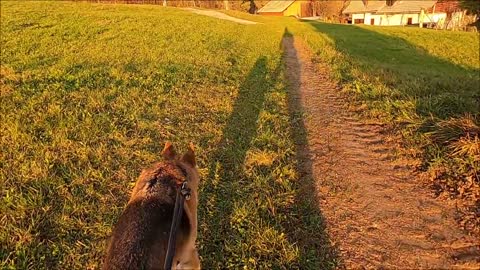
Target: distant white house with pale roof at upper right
[{"x": 395, "y": 12}]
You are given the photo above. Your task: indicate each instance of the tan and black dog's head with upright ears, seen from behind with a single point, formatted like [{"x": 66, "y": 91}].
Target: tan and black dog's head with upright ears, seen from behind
[{"x": 173, "y": 170}]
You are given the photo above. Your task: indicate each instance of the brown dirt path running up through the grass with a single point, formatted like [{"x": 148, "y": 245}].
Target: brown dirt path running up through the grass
[{"x": 377, "y": 212}]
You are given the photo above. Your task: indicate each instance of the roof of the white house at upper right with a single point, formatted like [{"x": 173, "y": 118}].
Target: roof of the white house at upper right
[{"x": 402, "y": 6}]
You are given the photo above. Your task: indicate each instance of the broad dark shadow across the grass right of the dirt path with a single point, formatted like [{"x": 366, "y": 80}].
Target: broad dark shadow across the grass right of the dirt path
[{"x": 440, "y": 88}]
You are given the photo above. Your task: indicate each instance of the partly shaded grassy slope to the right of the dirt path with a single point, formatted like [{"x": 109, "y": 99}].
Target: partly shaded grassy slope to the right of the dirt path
[{"x": 423, "y": 84}]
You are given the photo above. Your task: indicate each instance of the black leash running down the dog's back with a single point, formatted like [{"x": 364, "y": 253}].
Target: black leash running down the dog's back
[{"x": 183, "y": 193}]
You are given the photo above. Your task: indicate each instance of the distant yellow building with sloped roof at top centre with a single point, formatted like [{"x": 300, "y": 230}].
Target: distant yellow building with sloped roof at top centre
[{"x": 287, "y": 8}]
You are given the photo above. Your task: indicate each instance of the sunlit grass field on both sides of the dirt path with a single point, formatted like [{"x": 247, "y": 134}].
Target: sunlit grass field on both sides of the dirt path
[{"x": 89, "y": 94}]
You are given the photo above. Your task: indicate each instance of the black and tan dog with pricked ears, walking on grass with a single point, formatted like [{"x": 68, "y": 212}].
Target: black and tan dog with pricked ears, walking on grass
[{"x": 140, "y": 238}]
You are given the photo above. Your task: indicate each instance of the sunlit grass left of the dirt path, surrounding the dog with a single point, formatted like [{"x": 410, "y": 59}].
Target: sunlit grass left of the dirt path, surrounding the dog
[{"x": 89, "y": 95}]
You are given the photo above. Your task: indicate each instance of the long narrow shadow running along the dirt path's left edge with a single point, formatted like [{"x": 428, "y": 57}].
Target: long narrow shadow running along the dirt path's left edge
[{"x": 310, "y": 233}]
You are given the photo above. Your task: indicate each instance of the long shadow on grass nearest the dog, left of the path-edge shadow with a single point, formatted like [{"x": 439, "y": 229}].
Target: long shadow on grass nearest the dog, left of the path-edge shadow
[{"x": 226, "y": 182}]
